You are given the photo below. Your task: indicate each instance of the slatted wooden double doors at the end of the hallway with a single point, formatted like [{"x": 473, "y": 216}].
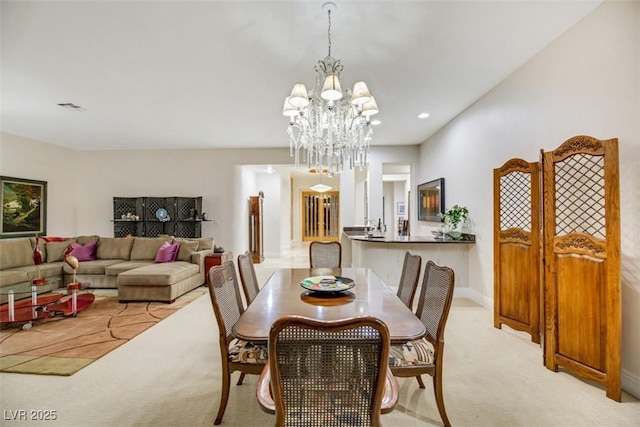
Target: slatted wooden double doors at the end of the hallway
[{"x": 320, "y": 216}]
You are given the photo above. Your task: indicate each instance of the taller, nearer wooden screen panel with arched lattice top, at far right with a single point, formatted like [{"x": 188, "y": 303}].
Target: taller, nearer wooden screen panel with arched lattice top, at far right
[{"x": 581, "y": 242}]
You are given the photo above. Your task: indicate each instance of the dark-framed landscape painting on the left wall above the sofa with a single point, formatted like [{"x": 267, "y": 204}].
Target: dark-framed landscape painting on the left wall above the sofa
[{"x": 24, "y": 207}]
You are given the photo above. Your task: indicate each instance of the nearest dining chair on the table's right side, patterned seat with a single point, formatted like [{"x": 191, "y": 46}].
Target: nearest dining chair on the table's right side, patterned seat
[{"x": 425, "y": 356}]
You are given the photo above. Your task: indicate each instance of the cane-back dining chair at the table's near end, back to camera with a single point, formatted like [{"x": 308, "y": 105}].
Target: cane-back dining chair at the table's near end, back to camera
[{"x": 329, "y": 373}]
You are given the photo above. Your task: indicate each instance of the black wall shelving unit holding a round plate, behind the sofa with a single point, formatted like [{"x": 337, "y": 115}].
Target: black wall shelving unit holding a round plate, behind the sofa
[{"x": 184, "y": 216}]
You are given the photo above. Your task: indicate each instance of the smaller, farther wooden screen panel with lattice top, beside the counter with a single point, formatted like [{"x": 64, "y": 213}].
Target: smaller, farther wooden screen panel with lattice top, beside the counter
[{"x": 516, "y": 219}]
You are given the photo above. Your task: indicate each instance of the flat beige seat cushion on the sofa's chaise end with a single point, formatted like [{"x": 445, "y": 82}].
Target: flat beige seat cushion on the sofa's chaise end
[{"x": 162, "y": 274}]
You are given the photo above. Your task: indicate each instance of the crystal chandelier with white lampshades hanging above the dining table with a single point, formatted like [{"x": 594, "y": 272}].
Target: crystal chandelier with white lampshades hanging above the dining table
[{"x": 330, "y": 126}]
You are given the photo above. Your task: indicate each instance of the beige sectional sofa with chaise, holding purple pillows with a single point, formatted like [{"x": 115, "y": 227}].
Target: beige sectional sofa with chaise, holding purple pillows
[{"x": 125, "y": 263}]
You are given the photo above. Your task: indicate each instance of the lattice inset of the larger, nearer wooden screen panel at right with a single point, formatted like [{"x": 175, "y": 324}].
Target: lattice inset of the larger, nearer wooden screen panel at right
[{"x": 580, "y": 201}]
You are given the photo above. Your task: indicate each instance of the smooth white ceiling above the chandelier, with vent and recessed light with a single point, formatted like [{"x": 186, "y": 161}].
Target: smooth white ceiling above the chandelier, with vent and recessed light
[{"x": 207, "y": 74}]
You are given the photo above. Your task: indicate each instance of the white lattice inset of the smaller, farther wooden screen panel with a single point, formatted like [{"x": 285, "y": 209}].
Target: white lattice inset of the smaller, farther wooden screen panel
[{"x": 515, "y": 201}]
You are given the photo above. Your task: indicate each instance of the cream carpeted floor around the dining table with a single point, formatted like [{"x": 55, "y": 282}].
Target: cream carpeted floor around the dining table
[{"x": 170, "y": 375}]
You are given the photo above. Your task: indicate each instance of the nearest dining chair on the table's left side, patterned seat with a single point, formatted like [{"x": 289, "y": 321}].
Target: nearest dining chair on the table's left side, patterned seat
[{"x": 236, "y": 355}]
